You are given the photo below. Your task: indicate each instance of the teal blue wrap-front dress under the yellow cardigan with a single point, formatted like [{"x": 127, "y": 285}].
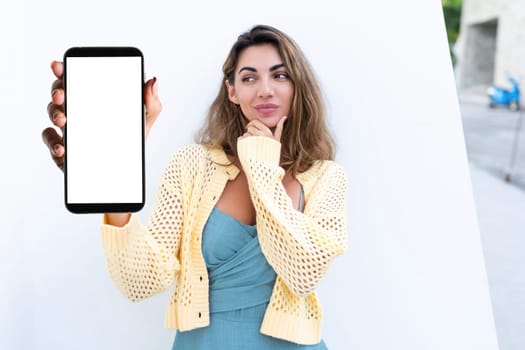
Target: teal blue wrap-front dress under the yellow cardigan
[{"x": 241, "y": 283}]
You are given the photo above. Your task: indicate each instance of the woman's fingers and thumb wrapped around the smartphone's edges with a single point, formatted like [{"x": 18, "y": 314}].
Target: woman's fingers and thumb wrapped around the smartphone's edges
[{"x": 55, "y": 110}]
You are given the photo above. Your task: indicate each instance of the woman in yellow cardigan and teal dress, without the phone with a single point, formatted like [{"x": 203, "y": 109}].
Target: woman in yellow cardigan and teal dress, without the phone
[{"x": 247, "y": 220}]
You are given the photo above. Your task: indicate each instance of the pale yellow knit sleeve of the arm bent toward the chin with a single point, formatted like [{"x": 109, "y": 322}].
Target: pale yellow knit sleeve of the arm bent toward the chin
[{"x": 299, "y": 246}]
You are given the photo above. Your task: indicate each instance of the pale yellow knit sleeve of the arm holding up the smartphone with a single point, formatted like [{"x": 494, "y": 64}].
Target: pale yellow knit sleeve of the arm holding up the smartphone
[{"x": 142, "y": 260}]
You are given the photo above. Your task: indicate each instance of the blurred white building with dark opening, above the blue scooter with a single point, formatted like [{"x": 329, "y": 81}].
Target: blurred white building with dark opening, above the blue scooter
[{"x": 491, "y": 43}]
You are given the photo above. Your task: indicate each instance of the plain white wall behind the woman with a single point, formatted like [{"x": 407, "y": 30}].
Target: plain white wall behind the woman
[{"x": 413, "y": 276}]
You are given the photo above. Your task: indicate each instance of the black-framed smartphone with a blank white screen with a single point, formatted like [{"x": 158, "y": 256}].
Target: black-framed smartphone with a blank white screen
[{"x": 104, "y": 133}]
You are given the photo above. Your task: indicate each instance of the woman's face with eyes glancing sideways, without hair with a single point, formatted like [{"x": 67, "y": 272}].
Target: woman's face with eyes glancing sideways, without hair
[{"x": 262, "y": 87}]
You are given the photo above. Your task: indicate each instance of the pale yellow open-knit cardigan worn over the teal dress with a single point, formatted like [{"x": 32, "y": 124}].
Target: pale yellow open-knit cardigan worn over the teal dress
[{"x": 145, "y": 260}]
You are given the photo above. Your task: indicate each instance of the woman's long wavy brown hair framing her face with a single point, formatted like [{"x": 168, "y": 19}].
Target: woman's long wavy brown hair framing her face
[{"x": 305, "y": 136}]
